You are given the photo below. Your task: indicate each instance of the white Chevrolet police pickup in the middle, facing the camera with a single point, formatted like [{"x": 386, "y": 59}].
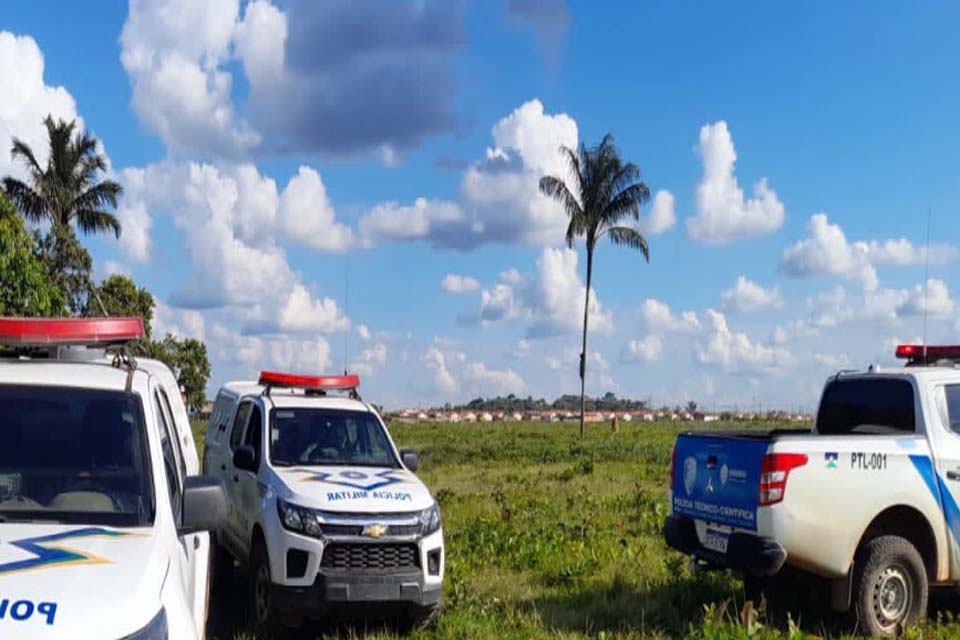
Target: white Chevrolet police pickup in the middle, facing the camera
[{"x": 324, "y": 511}]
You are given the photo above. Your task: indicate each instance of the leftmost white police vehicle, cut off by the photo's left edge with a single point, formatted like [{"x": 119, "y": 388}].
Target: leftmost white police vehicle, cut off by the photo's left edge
[{"x": 102, "y": 514}]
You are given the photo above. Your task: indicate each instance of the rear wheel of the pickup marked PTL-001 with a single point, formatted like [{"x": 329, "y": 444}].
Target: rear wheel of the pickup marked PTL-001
[{"x": 889, "y": 587}]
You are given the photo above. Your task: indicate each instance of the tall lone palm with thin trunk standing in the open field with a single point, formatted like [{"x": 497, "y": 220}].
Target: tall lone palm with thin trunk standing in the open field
[{"x": 603, "y": 193}]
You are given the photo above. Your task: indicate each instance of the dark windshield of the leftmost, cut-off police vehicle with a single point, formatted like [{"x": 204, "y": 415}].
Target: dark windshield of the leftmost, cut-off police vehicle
[{"x": 73, "y": 455}]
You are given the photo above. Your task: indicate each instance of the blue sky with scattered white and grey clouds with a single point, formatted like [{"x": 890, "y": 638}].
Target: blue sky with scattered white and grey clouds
[{"x": 270, "y": 148}]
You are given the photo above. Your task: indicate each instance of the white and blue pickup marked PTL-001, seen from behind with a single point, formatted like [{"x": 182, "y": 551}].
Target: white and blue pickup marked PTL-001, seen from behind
[{"x": 866, "y": 502}]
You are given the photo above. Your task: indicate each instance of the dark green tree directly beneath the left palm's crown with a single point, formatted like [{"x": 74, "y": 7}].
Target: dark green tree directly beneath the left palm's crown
[{"x": 68, "y": 264}]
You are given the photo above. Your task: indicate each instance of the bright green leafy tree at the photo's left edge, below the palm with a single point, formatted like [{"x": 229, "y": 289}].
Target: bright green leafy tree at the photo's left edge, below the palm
[{"x": 26, "y": 289}]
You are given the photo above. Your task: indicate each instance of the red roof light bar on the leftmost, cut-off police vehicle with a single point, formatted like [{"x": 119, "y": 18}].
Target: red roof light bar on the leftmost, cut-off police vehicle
[{"x": 44, "y": 332}]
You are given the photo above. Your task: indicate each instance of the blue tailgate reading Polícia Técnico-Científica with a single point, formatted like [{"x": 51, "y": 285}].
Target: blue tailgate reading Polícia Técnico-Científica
[{"x": 717, "y": 478}]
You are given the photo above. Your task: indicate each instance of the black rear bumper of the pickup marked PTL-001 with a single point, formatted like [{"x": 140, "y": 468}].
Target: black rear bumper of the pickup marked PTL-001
[{"x": 746, "y": 553}]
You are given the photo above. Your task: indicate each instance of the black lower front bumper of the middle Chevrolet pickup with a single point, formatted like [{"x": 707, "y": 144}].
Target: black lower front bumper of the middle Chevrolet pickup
[{"x": 333, "y": 591}]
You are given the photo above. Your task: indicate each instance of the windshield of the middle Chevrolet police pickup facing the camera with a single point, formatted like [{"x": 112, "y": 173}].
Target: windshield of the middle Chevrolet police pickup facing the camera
[{"x": 328, "y": 437}]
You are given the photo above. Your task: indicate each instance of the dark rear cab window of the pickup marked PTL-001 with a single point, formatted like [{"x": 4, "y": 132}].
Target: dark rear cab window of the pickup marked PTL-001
[{"x": 869, "y": 406}]
